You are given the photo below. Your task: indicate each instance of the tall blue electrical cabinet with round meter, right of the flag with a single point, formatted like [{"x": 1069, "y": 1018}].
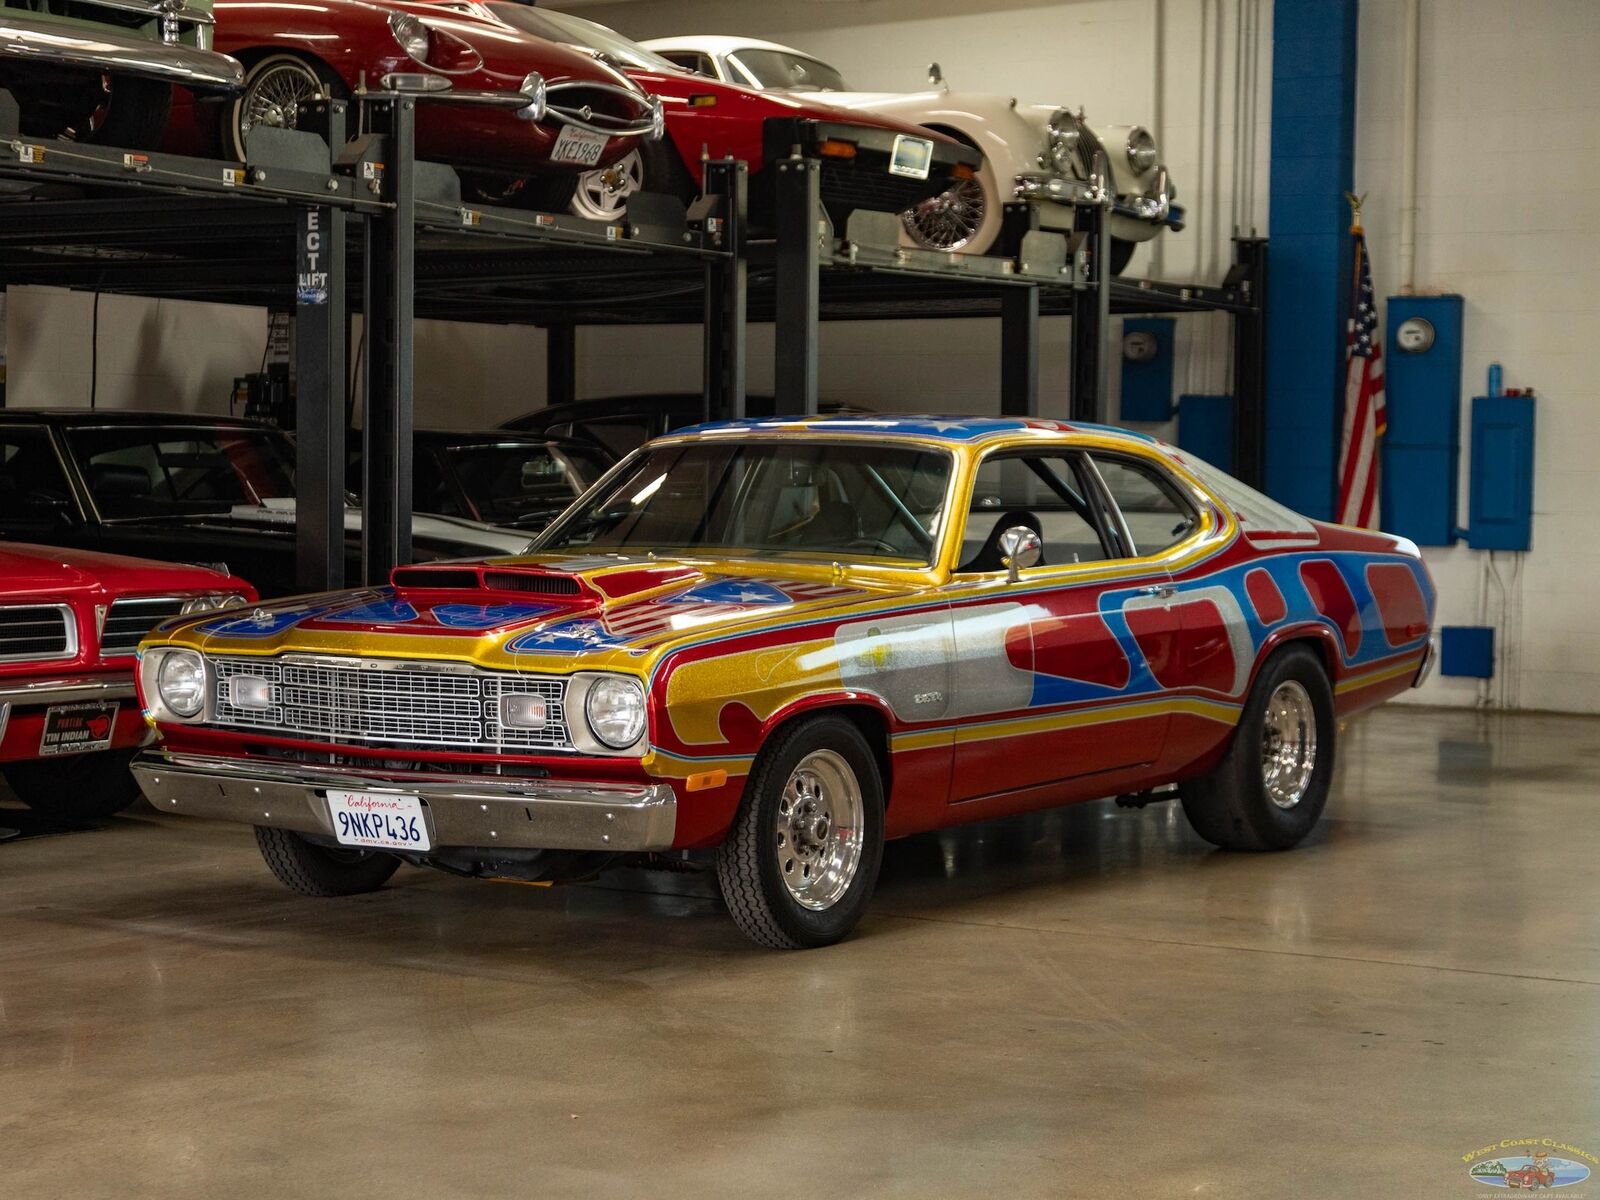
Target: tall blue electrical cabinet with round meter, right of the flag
[{"x": 1422, "y": 452}]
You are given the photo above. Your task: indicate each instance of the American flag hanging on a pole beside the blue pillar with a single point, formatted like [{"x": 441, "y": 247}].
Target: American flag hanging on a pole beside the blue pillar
[{"x": 1366, "y": 415}]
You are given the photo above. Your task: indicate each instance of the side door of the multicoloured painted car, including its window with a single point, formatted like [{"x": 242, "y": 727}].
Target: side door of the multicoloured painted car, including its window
[{"x": 1054, "y": 678}]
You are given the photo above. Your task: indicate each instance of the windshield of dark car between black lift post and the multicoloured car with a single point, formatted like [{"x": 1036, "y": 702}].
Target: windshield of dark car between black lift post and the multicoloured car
[{"x": 524, "y": 484}]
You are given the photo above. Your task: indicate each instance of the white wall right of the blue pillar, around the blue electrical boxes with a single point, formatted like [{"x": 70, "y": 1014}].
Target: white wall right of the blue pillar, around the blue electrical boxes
[{"x": 1508, "y": 172}]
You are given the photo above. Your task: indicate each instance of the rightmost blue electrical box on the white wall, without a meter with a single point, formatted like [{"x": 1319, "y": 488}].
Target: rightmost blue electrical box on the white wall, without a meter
[{"x": 1500, "y": 489}]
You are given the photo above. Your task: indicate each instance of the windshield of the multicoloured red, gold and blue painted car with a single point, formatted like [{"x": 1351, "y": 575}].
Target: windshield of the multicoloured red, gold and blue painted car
[{"x": 818, "y": 500}]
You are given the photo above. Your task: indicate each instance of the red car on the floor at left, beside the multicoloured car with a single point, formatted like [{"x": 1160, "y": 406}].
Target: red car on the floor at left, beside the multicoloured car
[{"x": 70, "y": 628}]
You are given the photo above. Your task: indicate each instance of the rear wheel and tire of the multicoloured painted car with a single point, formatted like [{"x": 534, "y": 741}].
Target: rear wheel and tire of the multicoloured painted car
[{"x": 1273, "y": 783}]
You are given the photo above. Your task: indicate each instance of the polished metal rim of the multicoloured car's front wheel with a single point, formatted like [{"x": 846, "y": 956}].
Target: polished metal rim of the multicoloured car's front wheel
[{"x": 820, "y": 830}]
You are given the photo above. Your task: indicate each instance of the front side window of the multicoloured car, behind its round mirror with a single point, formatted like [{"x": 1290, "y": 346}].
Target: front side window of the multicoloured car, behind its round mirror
[{"x": 1044, "y": 492}]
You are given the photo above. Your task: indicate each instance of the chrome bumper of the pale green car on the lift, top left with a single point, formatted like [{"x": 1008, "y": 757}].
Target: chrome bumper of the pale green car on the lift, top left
[{"x": 71, "y": 46}]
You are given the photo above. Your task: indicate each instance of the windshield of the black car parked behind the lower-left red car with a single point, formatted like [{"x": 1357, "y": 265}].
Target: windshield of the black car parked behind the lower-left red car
[{"x": 159, "y": 471}]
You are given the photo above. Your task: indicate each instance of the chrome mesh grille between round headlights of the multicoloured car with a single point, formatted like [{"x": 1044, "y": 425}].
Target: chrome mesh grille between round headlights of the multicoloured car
[{"x": 390, "y": 705}]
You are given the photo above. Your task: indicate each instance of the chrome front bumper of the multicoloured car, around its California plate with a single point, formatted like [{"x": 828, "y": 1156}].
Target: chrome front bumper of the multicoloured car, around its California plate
[{"x": 462, "y": 810}]
